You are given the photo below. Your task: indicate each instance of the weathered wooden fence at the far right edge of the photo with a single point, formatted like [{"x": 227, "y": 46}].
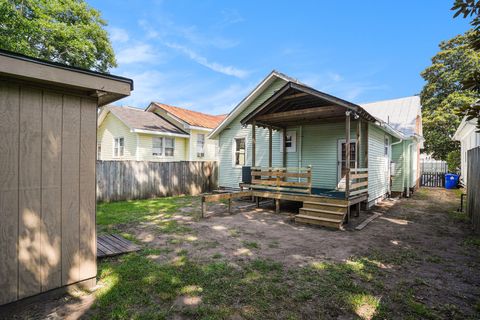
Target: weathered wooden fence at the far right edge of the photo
[{"x": 473, "y": 190}]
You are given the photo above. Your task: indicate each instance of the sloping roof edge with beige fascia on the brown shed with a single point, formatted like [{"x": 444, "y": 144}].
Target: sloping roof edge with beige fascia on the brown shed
[{"x": 56, "y": 76}]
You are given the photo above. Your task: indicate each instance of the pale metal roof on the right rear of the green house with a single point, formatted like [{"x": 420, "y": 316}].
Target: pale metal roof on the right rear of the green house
[{"x": 401, "y": 114}]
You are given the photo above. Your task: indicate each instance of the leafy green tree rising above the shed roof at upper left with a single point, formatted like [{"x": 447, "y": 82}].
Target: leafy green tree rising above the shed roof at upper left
[{"x": 65, "y": 31}]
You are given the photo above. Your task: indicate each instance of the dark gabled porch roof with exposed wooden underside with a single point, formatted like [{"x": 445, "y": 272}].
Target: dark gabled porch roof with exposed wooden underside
[{"x": 296, "y": 103}]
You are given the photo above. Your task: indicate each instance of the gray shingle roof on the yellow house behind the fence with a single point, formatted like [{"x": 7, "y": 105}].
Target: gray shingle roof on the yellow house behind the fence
[{"x": 143, "y": 120}]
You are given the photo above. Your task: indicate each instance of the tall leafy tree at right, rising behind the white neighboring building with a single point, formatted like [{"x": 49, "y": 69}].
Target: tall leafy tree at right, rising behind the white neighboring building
[{"x": 444, "y": 98}]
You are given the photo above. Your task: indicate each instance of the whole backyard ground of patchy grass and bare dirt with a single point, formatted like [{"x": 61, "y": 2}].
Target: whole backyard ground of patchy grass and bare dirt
[{"x": 418, "y": 261}]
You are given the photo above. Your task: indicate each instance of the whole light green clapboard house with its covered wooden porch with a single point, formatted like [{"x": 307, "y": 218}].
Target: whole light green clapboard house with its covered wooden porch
[{"x": 305, "y": 145}]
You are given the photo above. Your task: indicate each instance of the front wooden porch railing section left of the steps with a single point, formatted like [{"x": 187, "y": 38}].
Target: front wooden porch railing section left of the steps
[{"x": 276, "y": 179}]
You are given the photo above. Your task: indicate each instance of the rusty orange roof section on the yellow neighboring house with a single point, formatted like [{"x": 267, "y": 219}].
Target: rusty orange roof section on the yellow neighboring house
[{"x": 193, "y": 118}]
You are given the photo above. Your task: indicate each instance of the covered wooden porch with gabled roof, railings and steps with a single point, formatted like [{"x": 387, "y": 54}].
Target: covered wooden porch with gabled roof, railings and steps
[{"x": 324, "y": 154}]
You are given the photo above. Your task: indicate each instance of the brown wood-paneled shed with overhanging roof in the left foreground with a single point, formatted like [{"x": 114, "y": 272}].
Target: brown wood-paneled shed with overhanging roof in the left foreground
[{"x": 48, "y": 115}]
